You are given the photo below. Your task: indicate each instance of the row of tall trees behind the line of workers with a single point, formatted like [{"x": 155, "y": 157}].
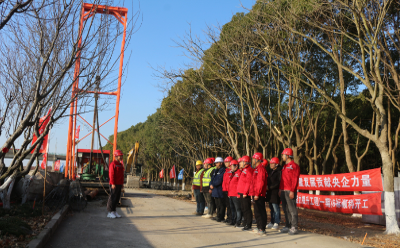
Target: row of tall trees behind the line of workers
[{"x": 319, "y": 76}]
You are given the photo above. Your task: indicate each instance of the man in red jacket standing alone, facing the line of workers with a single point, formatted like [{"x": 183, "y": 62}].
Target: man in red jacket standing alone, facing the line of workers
[{"x": 116, "y": 176}]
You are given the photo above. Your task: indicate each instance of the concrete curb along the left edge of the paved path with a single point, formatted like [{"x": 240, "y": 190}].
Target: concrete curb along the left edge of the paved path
[{"x": 44, "y": 236}]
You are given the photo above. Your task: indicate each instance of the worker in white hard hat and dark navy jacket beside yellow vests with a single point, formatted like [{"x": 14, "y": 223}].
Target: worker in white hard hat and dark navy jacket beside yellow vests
[{"x": 216, "y": 187}]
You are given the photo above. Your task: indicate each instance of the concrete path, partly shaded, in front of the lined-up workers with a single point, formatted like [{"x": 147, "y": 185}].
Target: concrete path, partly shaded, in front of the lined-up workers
[{"x": 155, "y": 221}]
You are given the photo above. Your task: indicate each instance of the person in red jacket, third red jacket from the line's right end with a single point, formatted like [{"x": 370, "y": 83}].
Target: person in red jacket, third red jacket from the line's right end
[{"x": 244, "y": 190}]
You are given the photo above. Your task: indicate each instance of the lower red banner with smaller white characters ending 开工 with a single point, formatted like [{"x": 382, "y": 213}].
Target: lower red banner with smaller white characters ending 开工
[{"x": 348, "y": 204}]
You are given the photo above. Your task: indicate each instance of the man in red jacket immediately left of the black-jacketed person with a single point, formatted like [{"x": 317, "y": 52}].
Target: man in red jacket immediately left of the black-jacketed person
[{"x": 258, "y": 189}]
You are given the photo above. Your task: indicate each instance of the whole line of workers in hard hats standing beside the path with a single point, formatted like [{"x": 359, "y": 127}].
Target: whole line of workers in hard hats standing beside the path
[{"x": 229, "y": 187}]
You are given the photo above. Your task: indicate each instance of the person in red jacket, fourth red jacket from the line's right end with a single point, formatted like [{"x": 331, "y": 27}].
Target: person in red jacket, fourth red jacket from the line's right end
[{"x": 232, "y": 193}]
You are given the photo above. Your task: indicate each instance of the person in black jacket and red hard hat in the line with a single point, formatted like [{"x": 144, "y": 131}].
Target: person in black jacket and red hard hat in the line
[{"x": 272, "y": 197}]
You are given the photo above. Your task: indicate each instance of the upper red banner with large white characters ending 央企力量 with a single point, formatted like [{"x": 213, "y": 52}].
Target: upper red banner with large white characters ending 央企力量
[{"x": 367, "y": 180}]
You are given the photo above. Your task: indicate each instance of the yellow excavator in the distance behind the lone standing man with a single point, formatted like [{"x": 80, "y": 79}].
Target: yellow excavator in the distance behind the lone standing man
[{"x": 133, "y": 169}]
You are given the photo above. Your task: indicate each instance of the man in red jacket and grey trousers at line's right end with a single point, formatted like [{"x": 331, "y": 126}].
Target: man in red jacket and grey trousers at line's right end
[{"x": 288, "y": 191}]
